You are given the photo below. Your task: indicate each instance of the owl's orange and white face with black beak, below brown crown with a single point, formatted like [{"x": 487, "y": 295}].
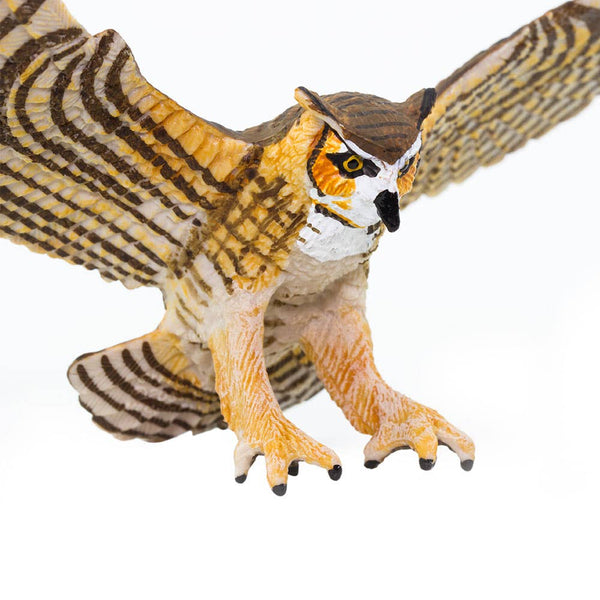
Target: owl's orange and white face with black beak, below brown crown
[{"x": 355, "y": 187}]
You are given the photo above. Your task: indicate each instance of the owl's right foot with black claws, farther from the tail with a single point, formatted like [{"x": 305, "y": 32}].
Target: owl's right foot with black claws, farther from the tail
[{"x": 405, "y": 424}]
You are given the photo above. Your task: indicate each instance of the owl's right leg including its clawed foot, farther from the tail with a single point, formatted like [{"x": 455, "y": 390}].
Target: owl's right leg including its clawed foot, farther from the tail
[{"x": 338, "y": 341}]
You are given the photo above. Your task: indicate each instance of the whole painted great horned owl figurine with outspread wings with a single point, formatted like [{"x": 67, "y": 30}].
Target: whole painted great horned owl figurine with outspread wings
[{"x": 260, "y": 240}]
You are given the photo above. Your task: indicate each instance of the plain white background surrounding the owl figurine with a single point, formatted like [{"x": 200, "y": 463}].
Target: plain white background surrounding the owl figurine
[{"x": 485, "y": 305}]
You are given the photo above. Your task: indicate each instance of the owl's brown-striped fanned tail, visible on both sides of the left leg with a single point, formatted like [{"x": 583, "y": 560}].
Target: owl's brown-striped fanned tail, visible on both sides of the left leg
[{"x": 148, "y": 388}]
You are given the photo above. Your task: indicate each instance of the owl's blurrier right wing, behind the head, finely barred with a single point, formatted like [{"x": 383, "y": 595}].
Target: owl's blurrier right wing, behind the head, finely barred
[{"x": 520, "y": 88}]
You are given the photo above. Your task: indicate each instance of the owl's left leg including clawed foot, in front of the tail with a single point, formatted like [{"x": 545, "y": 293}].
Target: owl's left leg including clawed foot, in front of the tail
[{"x": 249, "y": 406}]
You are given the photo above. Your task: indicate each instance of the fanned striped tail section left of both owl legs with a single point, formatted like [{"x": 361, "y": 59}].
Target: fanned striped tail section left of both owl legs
[{"x": 145, "y": 388}]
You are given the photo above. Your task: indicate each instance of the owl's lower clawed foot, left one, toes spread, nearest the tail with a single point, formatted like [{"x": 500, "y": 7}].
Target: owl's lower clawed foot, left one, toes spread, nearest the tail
[{"x": 283, "y": 446}]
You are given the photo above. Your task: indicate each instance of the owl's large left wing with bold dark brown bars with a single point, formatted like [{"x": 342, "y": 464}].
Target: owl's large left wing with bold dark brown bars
[{"x": 97, "y": 166}]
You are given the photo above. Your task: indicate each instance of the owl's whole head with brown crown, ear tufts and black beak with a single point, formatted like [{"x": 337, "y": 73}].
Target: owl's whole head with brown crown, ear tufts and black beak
[{"x": 366, "y": 156}]
